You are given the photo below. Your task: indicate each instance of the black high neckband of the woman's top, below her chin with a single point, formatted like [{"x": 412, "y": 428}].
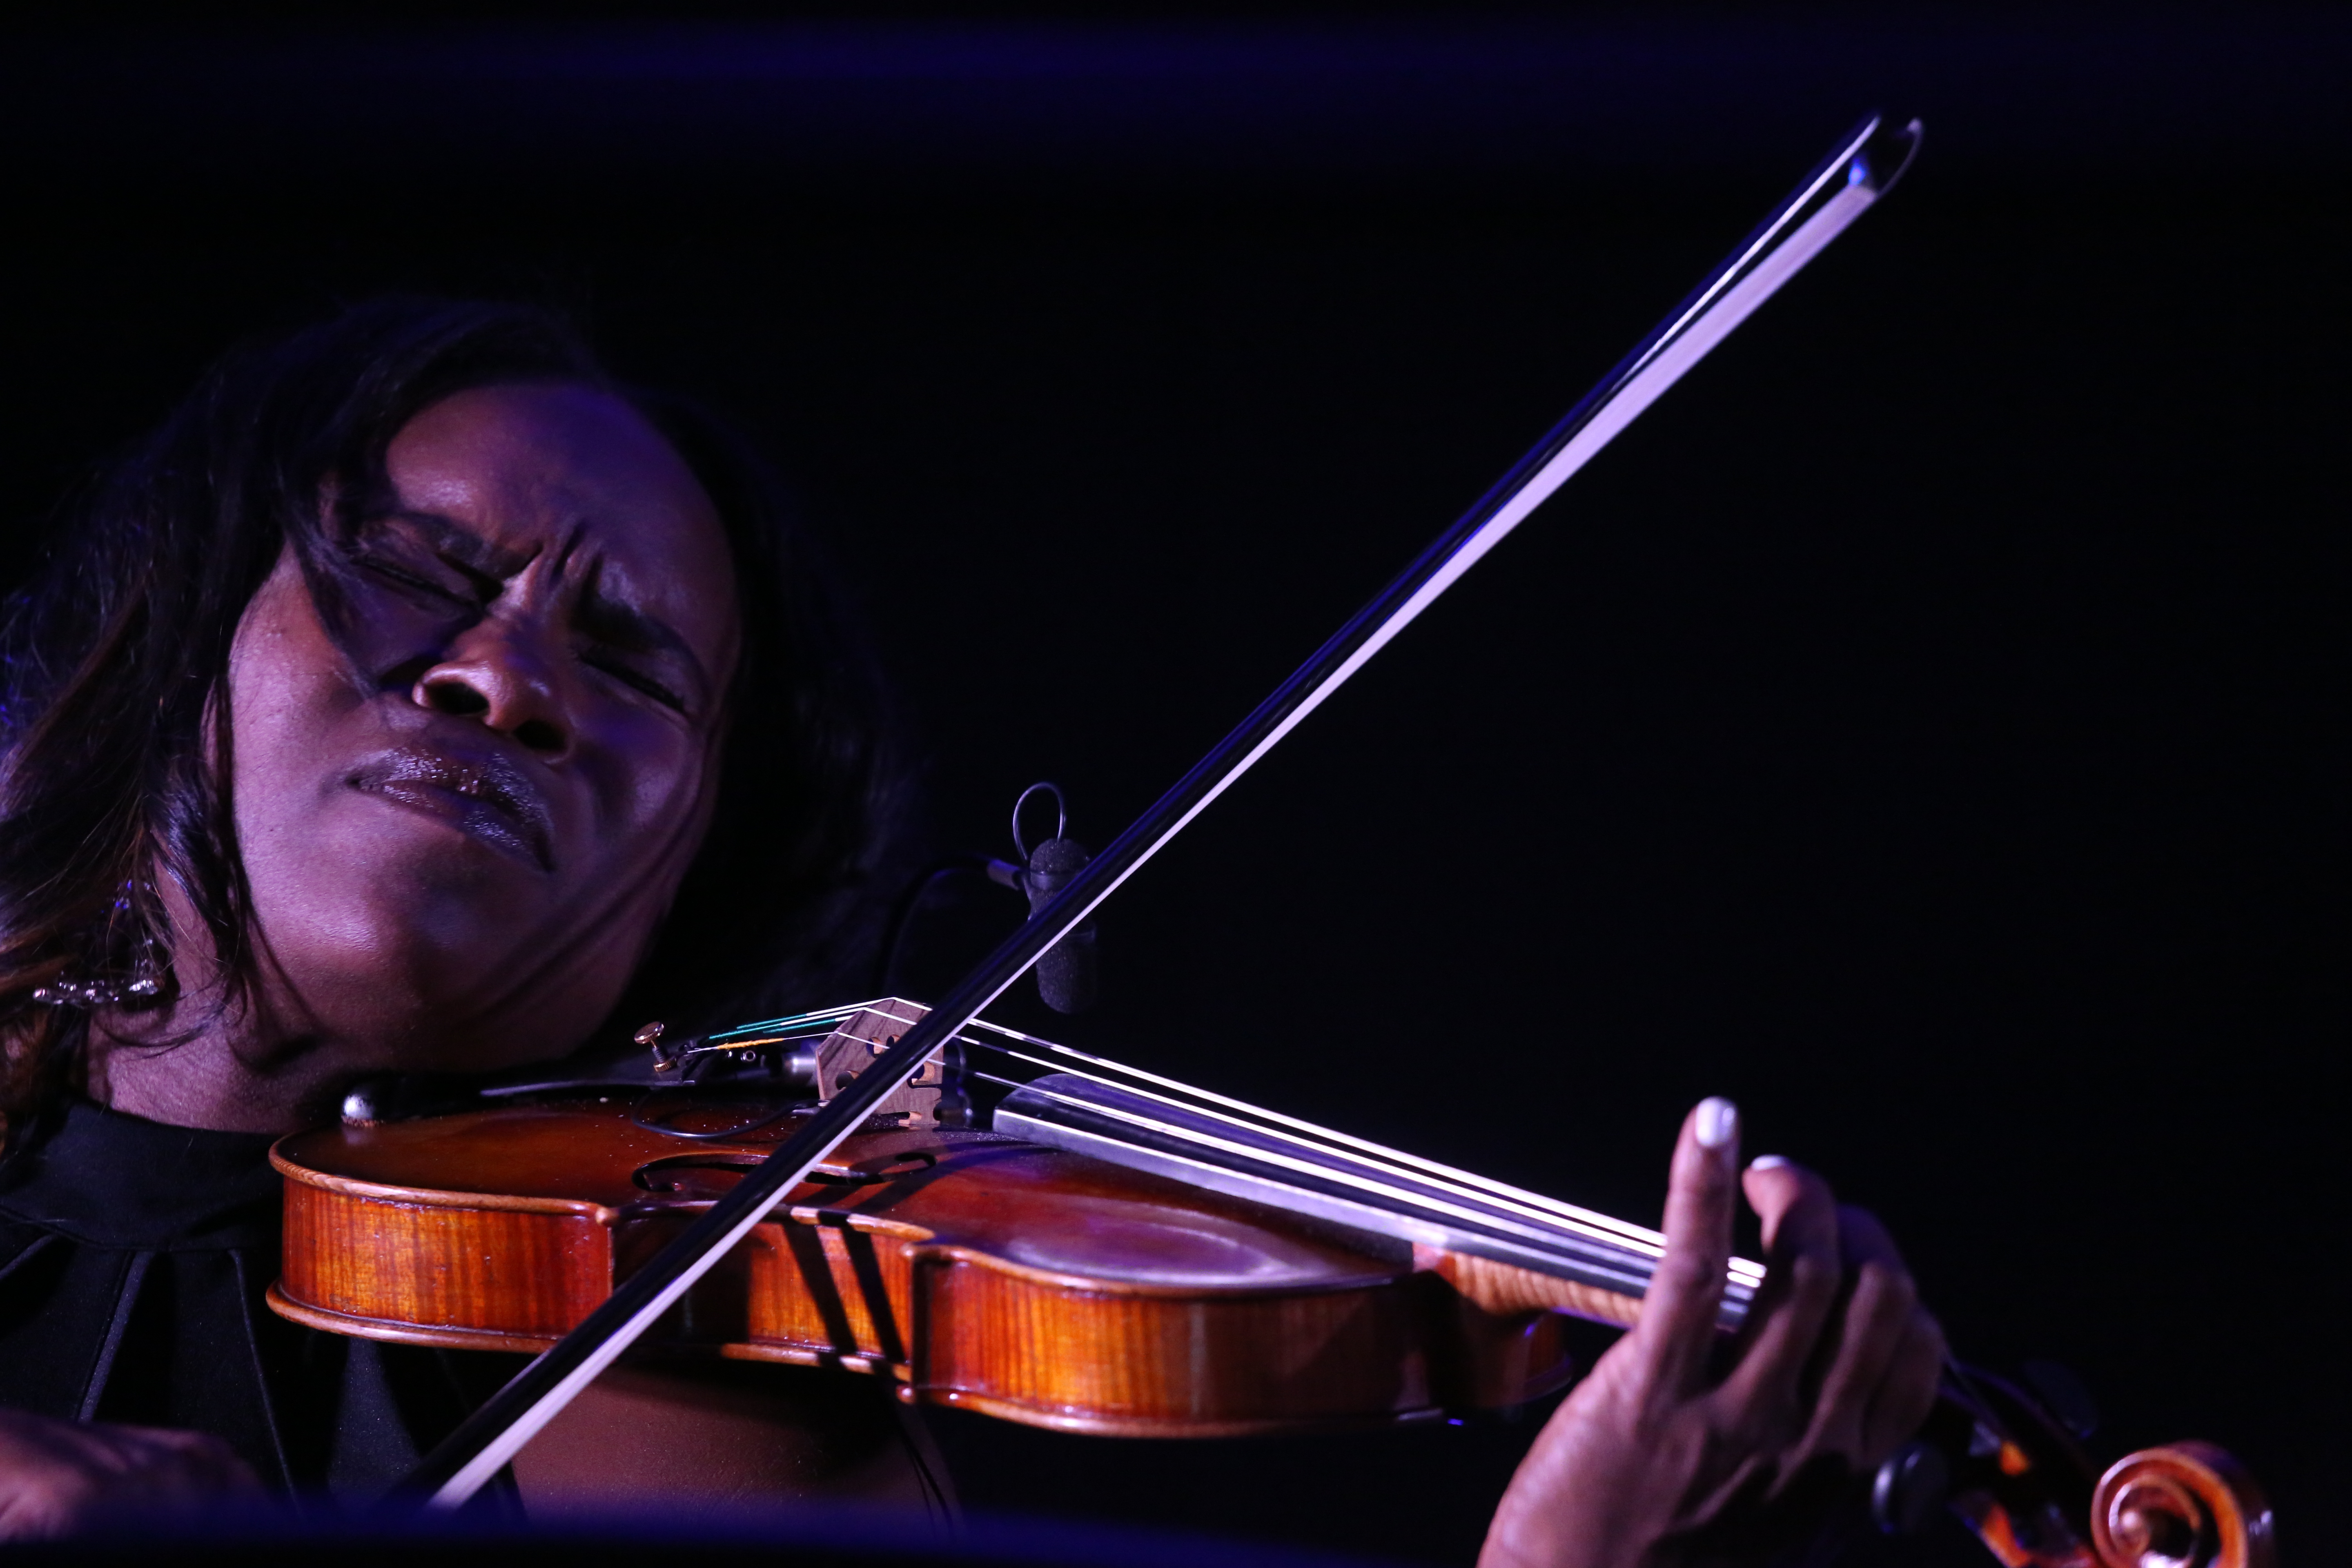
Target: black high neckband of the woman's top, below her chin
[{"x": 126, "y": 1181}]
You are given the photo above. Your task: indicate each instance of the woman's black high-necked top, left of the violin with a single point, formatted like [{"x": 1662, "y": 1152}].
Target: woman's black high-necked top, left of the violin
[{"x": 133, "y": 1273}]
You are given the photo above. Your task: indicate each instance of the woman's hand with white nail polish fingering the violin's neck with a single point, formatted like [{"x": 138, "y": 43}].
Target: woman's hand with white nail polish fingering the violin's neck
[{"x": 1836, "y": 1365}]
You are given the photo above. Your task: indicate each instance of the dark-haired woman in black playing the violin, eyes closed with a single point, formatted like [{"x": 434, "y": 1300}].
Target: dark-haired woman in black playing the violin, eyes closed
[{"x": 425, "y": 702}]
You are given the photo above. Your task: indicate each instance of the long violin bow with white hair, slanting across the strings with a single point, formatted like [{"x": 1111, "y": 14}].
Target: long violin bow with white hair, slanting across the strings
[{"x": 1864, "y": 166}]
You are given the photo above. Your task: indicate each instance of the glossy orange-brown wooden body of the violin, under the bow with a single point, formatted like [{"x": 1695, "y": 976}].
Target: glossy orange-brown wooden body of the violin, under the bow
[{"x": 970, "y": 1268}]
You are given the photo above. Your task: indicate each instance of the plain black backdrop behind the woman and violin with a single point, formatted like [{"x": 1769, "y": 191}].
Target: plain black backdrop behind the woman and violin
[{"x": 1925, "y": 725}]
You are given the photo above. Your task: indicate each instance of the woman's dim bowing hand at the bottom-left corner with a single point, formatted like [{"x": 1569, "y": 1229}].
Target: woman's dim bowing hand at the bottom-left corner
[{"x": 60, "y": 1477}]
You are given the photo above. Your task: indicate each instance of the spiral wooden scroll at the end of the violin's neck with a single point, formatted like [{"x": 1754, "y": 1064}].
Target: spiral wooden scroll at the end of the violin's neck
[{"x": 2186, "y": 1506}]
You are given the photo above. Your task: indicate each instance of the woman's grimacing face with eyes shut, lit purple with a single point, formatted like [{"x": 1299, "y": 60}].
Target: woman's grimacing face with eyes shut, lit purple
[{"x": 465, "y": 817}]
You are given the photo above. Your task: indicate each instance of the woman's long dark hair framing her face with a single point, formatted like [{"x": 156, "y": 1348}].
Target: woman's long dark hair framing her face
[{"x": 114, "y": 688}]
